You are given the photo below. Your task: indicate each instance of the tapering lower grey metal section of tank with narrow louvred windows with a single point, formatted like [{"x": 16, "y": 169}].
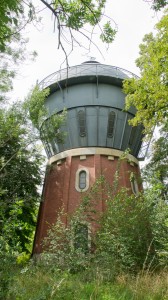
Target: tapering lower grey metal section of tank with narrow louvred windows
[{"x": 96, "y": 130}]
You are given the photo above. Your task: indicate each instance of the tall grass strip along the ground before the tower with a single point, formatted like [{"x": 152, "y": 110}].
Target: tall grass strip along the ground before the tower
[{"x": 38, "y": 283}]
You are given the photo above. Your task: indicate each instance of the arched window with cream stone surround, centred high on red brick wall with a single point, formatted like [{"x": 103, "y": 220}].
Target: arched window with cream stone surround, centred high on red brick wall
[{"x": 82, "y": 180}]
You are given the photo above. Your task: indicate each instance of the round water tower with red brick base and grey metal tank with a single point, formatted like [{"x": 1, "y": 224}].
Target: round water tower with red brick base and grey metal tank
[{"x": 97, "y": 134}]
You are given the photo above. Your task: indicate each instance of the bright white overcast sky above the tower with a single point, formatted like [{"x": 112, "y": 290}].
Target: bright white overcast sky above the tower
[{"x": 134, "y": 19}]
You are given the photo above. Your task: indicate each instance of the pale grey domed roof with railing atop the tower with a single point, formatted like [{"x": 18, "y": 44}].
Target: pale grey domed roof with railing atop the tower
[{"x": 88, "y": 71}]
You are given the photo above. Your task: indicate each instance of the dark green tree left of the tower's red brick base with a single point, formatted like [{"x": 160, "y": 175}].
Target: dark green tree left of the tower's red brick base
[{"x": 20, "y": 174}]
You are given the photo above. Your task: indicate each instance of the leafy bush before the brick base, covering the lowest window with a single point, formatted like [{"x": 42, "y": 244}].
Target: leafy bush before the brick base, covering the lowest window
[{"x": 64, "y": 246}]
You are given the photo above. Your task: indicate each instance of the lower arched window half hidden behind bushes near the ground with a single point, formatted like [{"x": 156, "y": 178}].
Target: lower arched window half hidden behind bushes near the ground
[{"x": 81, "y": 237}]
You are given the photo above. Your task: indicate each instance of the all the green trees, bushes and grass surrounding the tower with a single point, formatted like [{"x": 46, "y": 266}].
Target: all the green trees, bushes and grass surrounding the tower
[{"x": 131, "y": 256}]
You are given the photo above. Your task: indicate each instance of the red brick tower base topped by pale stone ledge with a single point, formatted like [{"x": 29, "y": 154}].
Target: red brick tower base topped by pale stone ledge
[{"x": 73, "y": 172}]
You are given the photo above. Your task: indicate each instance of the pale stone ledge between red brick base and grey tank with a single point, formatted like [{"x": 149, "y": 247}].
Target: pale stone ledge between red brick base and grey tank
[{"x": 91, "y": 151}]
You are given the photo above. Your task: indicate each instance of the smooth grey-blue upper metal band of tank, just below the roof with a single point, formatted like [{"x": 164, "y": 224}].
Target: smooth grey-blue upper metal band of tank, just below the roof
[{"x": 87, "y": 94}]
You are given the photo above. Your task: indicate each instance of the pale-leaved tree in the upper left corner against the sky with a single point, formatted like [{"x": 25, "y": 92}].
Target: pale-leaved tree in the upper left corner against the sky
[{"x": 12, "y": 43}]
